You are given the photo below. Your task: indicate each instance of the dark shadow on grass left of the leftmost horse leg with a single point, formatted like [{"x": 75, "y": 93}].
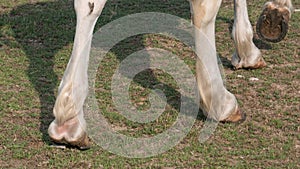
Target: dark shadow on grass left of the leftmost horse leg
[{"x": 42, "y": 29}]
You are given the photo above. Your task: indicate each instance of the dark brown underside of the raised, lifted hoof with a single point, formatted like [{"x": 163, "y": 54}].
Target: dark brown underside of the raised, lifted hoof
[{"x": 272, "y": 25}]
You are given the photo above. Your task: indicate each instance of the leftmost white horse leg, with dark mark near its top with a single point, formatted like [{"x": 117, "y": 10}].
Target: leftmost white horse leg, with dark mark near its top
[{"x": 69, "y": 124}]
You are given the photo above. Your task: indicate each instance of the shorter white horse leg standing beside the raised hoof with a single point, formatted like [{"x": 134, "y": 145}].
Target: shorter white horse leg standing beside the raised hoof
[{"x": 247, "y": 55}]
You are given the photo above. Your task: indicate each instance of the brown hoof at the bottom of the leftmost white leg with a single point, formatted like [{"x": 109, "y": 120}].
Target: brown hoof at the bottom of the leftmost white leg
[{"x": 82, "y": 143}]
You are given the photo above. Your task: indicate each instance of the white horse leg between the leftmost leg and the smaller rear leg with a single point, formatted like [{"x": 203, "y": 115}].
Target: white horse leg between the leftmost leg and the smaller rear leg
[{"x": 219, "y": 103}]
